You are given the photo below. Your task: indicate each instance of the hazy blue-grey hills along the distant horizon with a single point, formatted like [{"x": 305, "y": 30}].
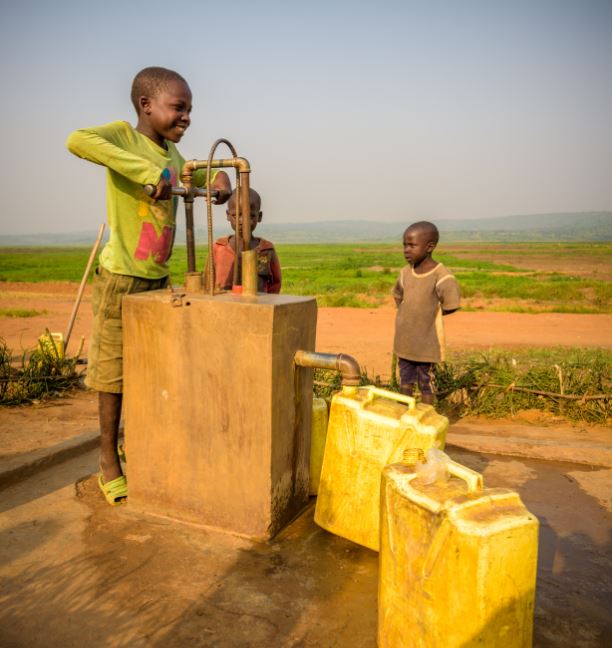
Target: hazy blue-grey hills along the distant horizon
[{"x": 586, "y": 226}]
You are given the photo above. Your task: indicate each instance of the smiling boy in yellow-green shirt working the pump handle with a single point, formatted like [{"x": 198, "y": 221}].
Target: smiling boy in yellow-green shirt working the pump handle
[{"x": 142, "y": 228}]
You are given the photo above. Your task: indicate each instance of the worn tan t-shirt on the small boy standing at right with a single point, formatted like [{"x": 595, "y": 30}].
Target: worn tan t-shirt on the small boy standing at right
[{"x": 421, "y": 298}]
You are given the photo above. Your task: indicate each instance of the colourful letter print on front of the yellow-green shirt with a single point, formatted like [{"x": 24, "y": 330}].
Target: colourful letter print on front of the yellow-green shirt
[{"x": 150, "y": 243}]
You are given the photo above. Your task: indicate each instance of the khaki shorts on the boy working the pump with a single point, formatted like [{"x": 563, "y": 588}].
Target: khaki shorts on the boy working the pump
[{"x": 105, "y": 357}]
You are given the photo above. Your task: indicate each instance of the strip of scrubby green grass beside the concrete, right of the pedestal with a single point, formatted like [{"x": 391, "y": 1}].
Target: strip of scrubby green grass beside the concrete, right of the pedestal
[{"x": 570, "y": 383}]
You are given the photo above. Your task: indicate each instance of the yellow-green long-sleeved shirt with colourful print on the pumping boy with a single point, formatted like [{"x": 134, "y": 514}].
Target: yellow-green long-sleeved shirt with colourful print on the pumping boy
[{"x": 141, "y": 229}]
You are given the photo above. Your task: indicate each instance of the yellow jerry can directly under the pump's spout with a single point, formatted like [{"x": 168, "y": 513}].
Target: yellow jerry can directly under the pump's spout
[{"x": 368, "y": 428}]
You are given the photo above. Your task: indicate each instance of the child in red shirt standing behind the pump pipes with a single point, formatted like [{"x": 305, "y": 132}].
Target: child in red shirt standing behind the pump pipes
[{"x": 224, "y": 251}]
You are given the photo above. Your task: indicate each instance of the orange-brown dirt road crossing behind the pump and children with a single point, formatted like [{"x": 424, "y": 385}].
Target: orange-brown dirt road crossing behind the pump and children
[{"x": 366, "y": 334}]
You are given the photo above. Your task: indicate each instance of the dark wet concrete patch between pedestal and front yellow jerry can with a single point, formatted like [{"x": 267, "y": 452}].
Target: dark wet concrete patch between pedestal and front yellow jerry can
[{"x": 305, "y": 588}]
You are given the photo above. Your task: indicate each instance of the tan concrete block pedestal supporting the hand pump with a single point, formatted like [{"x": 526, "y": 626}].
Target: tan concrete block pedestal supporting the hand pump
[{"x": 217, "y": 417}]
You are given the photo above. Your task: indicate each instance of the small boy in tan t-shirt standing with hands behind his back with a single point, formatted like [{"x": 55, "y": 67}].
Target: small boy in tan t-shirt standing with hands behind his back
[{"x": 424, "y": 292}]
